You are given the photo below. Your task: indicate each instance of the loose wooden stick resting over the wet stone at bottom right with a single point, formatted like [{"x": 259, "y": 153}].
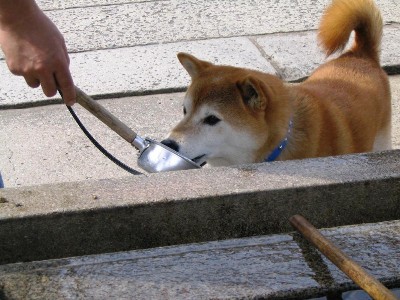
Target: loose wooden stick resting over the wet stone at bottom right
[{"x": 354, "y": 271}]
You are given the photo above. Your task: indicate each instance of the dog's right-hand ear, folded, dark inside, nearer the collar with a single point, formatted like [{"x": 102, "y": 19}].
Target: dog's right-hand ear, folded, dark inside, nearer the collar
[{"x": 254, "y": 93}]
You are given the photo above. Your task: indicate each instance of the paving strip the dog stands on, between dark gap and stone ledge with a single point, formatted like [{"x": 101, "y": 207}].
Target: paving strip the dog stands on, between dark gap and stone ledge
[{"x": 44, "y": 145}]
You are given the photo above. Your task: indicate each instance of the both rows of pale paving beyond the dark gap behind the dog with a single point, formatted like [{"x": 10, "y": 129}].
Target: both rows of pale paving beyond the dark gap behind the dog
[{"x": 129, "y": 48}]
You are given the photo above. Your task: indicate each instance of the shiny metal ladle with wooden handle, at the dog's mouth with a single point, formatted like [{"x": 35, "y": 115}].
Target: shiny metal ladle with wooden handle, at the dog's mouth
[{"x": 153, "y": 157}]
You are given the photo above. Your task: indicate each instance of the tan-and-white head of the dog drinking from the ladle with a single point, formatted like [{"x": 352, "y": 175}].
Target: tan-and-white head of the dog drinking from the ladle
[{"x": 226, "y": 117}]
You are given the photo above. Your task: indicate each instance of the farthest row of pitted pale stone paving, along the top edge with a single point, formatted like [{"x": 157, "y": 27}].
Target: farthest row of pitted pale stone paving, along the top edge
[{"x": 113, "y": 24}]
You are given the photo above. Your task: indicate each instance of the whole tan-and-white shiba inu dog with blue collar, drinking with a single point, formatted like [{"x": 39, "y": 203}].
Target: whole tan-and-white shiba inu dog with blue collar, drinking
[{"x": 236, "y": 115}]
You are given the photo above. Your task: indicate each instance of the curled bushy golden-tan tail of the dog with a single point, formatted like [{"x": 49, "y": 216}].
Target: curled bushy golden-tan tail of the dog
[{"x": 344, "y": 16}]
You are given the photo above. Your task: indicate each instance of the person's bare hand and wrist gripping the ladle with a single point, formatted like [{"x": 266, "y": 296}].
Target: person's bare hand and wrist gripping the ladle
[{"x": 34, "y": 48}]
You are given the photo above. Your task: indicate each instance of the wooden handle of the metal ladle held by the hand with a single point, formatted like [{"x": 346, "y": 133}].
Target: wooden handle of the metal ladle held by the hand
[{"x": 105, "y": 116}]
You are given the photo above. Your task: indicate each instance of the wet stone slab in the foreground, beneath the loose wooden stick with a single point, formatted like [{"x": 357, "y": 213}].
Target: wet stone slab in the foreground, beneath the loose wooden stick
[{"x": 273, "y": 267}]
